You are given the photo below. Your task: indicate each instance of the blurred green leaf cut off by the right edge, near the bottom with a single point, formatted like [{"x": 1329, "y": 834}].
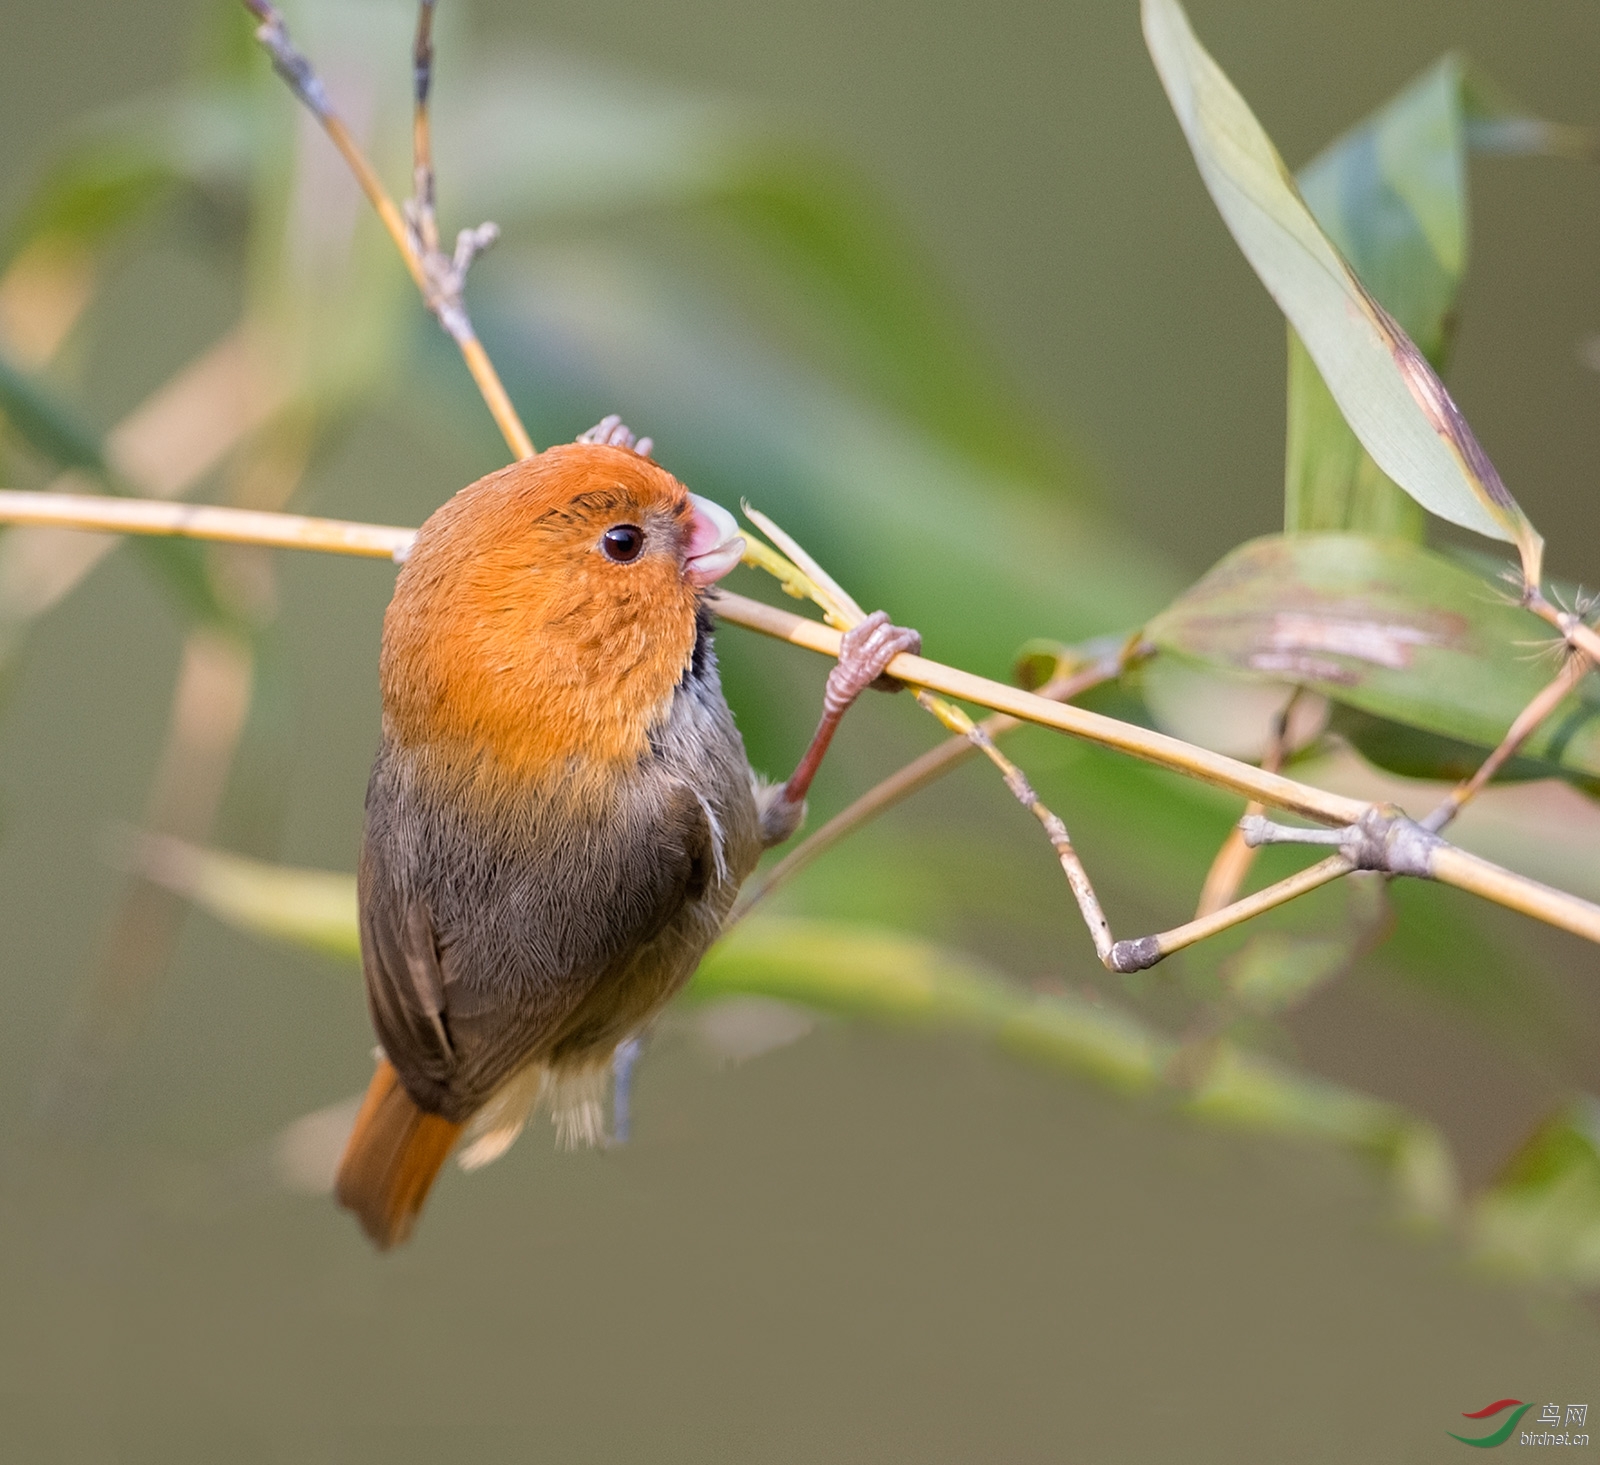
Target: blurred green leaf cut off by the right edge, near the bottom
[{"x": 1543, "y": 1213}]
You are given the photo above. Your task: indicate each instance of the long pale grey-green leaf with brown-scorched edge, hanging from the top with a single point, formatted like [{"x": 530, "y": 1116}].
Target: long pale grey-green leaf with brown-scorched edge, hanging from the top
[{"x": 1383, "y": 385}]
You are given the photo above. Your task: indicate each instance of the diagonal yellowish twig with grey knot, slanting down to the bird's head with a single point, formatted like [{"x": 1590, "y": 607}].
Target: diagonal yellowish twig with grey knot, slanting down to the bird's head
[{"x": 439, "y": 277}]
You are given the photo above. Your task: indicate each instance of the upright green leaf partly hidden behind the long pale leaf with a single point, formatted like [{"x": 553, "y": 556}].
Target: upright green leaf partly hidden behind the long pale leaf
[{"x": 1393, "y": 198}]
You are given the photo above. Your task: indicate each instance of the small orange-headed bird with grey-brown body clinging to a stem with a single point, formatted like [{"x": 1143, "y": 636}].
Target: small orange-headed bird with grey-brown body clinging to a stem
[{"x": 561, "y": 813}]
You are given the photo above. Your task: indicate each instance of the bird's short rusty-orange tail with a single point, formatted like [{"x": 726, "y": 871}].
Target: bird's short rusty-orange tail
[{"x": 391, "y": 1160}]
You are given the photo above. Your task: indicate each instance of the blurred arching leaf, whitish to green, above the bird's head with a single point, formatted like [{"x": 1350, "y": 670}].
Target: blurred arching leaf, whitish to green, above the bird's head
[{"x": 535, "y": 143}]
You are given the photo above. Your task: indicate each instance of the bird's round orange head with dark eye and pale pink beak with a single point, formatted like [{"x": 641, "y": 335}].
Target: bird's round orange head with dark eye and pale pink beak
[{"x": 546, "y": 615}]
